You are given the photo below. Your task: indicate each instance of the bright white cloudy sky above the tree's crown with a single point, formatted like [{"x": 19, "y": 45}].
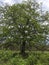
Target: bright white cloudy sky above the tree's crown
[{"x": 45, "y": 2}]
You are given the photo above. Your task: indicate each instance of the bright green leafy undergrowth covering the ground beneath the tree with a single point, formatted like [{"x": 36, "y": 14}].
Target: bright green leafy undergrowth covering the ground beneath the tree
[{"x": 13, "y": 58}]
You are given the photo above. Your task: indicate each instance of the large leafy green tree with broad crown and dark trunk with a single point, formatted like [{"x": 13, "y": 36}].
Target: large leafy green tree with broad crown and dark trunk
[{"x": 22, "y": 24}]
